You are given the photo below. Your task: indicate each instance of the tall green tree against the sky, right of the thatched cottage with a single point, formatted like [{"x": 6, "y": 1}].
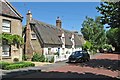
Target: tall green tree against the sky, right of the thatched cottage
[{"x": 93, "y": 31}]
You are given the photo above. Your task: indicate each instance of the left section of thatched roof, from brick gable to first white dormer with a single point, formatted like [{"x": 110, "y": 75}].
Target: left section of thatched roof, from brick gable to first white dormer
[{"x": 47, "y": 33}]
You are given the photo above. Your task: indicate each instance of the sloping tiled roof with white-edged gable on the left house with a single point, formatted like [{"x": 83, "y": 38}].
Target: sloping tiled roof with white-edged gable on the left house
[{"x": 9, "y": 10}]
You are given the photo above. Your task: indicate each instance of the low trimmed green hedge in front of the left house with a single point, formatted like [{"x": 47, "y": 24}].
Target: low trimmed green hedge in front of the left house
[{"x": 18, "y": 65}]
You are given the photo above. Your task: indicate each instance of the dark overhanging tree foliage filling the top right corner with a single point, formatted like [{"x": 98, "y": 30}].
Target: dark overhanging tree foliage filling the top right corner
[{"x": 110, "y": 13}]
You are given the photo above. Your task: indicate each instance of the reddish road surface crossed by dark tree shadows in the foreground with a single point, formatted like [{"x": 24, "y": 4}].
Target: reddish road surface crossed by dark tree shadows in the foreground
[{"x": 100, "y": 66}]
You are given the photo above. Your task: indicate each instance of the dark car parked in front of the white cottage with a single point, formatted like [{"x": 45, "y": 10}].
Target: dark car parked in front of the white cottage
[{"x": 79, "y": 56}]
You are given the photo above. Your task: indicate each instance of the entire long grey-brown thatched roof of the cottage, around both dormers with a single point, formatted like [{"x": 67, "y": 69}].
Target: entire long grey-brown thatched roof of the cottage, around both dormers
[{"x": 50, "y": 34}]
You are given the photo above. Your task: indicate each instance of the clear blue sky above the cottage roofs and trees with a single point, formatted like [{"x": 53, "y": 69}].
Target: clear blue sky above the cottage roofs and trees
[{"x": 72, "y": 14}]
